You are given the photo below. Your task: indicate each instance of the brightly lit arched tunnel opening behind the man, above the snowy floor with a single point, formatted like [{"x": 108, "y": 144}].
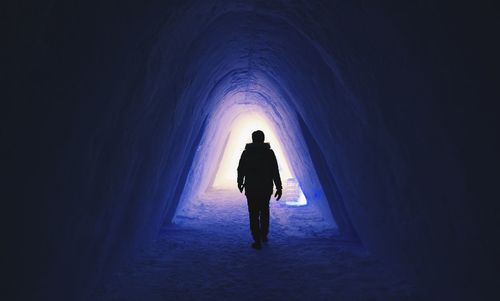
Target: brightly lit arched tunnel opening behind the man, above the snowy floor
[{"x": 229, "y": 128}]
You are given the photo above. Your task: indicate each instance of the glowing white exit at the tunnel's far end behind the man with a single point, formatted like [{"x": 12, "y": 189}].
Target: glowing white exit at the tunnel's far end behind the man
[{"x": 240, "y": 132}]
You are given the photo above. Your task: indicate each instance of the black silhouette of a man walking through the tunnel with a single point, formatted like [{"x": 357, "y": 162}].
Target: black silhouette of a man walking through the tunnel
[{"x": 257, "y": 170}]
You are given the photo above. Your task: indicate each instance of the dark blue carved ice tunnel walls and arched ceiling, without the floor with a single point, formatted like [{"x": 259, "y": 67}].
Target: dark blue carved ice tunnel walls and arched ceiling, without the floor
[{"x": 383, "y": 112}]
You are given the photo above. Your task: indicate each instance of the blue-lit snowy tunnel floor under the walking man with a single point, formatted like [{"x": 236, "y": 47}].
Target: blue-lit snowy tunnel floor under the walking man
[{"x": 206, "y": 255}]
